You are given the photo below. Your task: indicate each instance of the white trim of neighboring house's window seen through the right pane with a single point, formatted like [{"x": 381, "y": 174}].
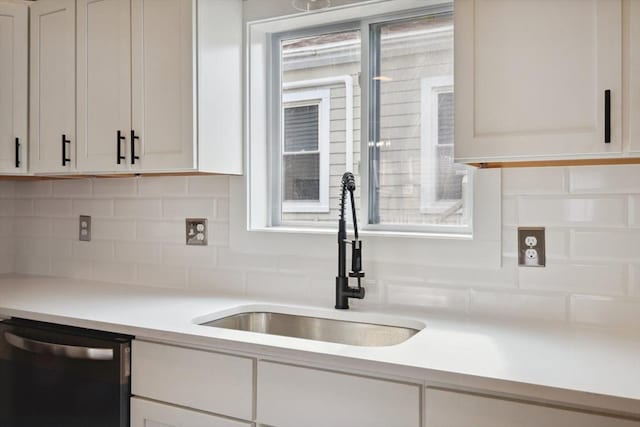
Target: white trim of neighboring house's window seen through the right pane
[{"x": 429, "y": 204}]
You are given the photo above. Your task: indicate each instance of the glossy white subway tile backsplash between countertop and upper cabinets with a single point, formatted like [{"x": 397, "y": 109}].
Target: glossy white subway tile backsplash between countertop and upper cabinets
[{"x": 592, "y": 215}]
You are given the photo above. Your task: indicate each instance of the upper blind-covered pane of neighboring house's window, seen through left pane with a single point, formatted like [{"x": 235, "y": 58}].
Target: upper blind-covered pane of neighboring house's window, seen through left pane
[{"x": 301, "y": 128}]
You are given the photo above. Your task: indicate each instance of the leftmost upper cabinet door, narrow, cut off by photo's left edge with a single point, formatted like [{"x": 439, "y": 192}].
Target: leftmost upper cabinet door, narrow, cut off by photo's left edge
[{"x": 14, "y": 48}]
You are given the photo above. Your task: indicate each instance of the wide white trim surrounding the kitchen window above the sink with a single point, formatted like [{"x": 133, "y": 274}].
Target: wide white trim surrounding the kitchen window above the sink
[{"x": 249, "y": 229}]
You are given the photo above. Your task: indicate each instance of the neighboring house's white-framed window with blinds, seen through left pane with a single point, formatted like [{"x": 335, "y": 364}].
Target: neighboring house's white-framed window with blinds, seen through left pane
[{"x": 305, "y": 151}]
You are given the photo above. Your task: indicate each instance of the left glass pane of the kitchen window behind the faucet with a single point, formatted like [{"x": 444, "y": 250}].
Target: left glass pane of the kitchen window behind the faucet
[{"x": 319, "y": 75}]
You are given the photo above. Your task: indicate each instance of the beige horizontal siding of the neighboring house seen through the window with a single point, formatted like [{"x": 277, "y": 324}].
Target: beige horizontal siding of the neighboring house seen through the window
[{"x": 406, "y": 64}]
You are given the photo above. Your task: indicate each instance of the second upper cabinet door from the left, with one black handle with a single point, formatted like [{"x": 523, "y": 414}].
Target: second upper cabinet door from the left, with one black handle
[{"x": 53, "y": 82}]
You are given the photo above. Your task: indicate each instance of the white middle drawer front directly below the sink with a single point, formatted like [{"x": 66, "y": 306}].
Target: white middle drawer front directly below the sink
[{"x": 290, "y": 396}]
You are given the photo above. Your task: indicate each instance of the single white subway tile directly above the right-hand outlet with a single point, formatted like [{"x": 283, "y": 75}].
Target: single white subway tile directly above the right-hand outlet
[{"x": 600, "y": 211}]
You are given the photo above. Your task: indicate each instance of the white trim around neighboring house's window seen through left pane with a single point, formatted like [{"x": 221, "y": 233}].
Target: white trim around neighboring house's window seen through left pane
[{"x": 322, "y": 98}]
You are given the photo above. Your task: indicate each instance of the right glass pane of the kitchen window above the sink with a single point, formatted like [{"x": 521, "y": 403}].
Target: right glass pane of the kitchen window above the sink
[{"x": 411, "y": 157}]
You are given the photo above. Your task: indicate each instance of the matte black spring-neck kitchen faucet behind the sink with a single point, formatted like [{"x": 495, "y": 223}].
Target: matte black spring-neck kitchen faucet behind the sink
[{"x": 343, "y": 290}]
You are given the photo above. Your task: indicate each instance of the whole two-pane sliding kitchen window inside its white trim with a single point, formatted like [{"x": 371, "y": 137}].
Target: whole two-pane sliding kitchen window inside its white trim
[{"x": 406, "y": 177}]
